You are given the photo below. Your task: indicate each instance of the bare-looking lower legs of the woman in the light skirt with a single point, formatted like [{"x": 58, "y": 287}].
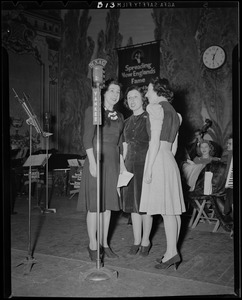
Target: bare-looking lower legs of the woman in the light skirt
[{"x": 171, "y": 224}]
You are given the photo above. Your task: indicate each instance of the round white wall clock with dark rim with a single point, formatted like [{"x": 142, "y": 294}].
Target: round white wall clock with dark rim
[{"x": 214, "y": 57}]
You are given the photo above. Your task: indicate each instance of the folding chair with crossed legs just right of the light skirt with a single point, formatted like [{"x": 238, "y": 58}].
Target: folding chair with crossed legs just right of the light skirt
[{"x": 203, "y": 210}]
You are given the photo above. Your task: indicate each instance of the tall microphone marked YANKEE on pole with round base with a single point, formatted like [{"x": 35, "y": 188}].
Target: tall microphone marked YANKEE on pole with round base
[{"x": 99, "y": 273}]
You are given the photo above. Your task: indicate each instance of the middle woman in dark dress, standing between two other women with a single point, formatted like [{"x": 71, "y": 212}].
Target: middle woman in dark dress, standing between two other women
[{"x": 135, "y": 145}]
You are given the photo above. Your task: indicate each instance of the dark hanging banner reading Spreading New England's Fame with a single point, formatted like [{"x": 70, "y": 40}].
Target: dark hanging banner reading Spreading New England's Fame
[{"x": 137, "y": 64}]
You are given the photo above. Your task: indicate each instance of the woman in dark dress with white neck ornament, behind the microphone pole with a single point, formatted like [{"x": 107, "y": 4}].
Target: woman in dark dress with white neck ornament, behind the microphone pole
[{"x": 110, "y": 142}]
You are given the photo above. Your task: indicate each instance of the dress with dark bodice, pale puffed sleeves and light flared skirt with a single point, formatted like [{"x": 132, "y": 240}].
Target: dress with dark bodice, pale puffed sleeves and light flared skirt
[{"x": 164, "y": 194}]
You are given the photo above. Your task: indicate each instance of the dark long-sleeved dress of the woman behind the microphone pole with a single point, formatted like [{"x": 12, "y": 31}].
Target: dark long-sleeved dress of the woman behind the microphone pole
[{"x": 110, "y": 145}]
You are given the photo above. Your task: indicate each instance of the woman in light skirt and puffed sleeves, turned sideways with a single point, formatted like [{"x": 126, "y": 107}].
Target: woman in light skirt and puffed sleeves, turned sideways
[{"x": 162, "y": 189}]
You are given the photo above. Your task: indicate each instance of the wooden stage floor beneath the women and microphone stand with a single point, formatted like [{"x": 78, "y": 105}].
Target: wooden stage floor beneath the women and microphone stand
[{"x": 59, "y": 242}]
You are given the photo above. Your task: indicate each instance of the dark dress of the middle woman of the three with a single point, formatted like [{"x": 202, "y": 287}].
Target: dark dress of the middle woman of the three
[{"x": 136, "y": 136}]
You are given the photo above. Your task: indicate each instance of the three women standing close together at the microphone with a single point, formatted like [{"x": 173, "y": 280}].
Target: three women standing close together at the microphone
[{"x": 156, "y": 186}]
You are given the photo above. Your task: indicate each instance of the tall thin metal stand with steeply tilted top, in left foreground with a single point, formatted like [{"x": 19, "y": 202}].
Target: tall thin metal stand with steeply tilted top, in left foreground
[{"x": 31, "y": 121}]
